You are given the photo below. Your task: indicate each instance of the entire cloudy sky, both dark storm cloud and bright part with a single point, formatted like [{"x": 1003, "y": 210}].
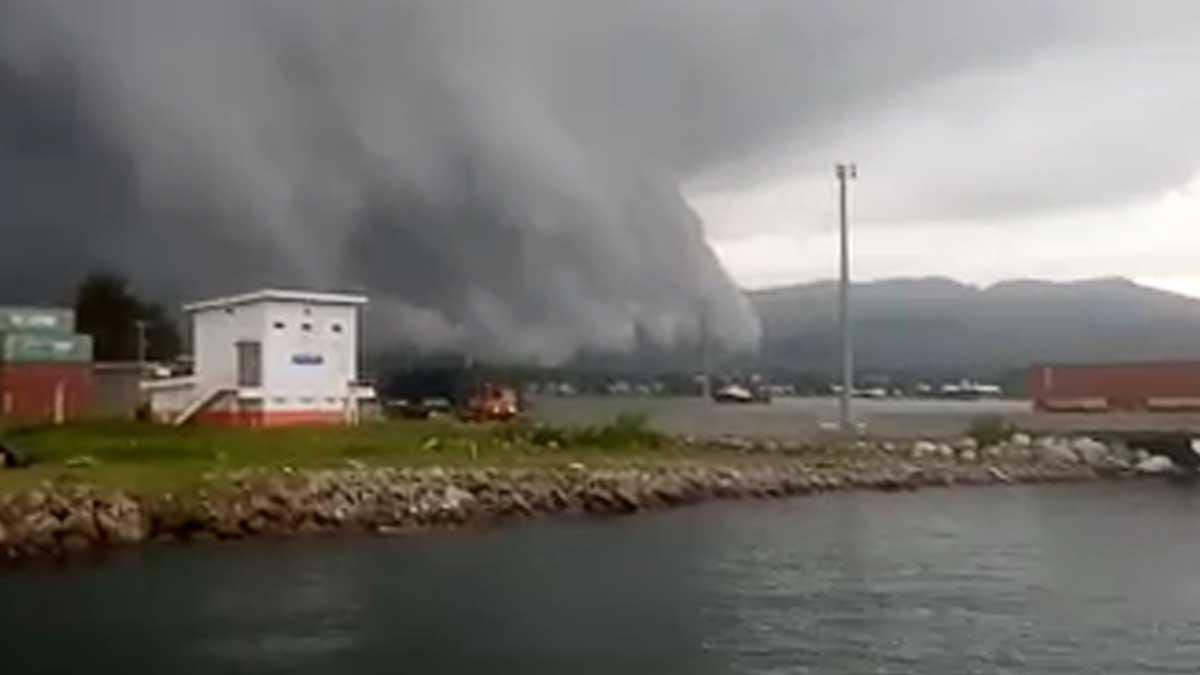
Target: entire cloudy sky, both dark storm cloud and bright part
[{"x": 515, "y": 176}]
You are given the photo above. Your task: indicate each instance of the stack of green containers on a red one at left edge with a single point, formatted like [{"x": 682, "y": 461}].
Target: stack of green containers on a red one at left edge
[{"x": 45, "y": 367}]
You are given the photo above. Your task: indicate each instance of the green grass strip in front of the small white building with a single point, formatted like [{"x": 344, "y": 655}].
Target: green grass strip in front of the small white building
[{"x": 151, "y": 459}]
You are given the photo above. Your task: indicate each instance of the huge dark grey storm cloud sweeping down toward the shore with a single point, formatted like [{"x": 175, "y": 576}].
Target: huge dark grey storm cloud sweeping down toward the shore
[{"x": 499, "y": 175}]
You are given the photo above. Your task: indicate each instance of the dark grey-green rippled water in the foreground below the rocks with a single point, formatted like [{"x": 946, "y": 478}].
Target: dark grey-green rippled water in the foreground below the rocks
[{"x": 1064, "y": 580}]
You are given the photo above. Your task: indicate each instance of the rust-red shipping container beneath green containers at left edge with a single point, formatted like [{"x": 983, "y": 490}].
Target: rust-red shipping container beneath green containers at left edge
[{"x": 50, "y": 392}]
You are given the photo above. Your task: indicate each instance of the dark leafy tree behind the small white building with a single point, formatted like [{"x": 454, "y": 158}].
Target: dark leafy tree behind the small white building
[{"x": 107, "y": 309}]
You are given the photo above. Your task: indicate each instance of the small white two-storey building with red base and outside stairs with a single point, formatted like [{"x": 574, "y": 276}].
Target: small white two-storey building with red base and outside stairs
[{"x": 268, "y": 359}]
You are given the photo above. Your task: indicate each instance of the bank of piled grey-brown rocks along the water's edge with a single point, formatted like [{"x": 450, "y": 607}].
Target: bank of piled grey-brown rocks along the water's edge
[{"x": 65, "y": 518}]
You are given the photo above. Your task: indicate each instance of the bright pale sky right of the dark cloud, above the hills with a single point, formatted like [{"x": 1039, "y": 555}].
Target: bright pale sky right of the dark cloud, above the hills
[{"x": 1075, "y": 157}]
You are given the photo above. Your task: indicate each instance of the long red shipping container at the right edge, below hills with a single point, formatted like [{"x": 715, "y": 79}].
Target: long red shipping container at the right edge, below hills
[{"x": 1131, "y": 387}]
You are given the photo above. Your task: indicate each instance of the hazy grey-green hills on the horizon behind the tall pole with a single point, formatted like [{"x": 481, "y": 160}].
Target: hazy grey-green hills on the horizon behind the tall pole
[{"x": 938, "y": 326}]
